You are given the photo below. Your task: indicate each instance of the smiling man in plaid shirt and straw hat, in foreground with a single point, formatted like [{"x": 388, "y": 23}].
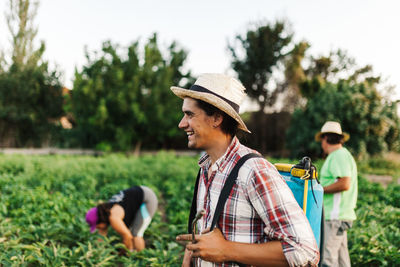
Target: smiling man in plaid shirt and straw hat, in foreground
[{"x": 261, "y": 222}]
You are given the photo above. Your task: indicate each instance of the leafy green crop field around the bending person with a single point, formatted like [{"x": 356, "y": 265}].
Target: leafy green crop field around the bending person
[{"x": 44, "y": 199}]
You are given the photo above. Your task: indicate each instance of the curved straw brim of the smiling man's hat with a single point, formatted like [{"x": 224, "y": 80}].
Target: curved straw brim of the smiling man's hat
[{"x": 213, "y": 100}]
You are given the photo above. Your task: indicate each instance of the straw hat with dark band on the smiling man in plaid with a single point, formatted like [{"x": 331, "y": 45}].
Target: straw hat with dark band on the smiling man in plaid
[{"x": 219, "y": 90}]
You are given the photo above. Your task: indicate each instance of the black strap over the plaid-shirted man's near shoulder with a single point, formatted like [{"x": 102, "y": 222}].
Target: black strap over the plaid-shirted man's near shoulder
[{"x": 226, "y": 190}]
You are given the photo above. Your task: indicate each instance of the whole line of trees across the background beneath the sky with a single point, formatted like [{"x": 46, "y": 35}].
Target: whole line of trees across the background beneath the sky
[{"x": 120, "y": 100}]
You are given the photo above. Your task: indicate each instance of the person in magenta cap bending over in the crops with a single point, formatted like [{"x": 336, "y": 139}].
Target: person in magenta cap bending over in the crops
[{"x": 129, "y": 213}]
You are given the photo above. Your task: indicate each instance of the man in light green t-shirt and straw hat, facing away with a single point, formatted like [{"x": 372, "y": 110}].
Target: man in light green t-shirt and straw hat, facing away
[{"x": 339, "y": 179}]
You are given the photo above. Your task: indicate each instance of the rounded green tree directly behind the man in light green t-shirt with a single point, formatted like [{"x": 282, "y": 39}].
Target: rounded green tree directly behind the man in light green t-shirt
[{"x": 371, "y": 120}]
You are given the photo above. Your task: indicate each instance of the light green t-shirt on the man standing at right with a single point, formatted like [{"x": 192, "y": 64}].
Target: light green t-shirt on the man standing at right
[{"x": 340, "y": 206}]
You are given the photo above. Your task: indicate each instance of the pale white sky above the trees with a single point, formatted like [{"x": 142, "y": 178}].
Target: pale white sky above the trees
[{"x": 367, "y": 29}]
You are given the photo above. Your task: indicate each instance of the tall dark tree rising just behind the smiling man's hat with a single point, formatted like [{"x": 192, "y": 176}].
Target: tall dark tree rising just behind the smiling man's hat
[{"x": 256, "y": 56}]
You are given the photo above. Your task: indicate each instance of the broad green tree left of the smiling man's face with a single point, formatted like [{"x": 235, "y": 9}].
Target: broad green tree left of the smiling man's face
[{"x": 123, "y": 101}]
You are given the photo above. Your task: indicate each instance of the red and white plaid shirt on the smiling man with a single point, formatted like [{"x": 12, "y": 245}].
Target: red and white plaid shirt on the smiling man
[{"x": 260, "y": 208}]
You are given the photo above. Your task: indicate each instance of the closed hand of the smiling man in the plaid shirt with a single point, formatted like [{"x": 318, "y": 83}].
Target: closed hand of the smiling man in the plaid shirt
[{"x": 210, "y": 246}]
